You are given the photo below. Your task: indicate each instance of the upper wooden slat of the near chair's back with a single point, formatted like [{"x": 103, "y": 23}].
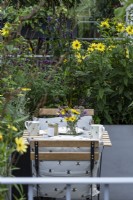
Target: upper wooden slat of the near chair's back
[{"x": 63, "y": 143}]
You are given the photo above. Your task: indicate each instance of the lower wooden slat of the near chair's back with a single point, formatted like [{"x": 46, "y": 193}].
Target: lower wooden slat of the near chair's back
[{"x": 52, "y": 156}]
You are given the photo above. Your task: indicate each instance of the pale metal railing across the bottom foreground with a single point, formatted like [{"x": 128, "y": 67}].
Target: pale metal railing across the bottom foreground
[{"x": 68, "y": 181}]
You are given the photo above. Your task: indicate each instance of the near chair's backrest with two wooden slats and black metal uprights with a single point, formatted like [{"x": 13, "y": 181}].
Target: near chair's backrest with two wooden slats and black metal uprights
[{"x": 59, "y": 152}]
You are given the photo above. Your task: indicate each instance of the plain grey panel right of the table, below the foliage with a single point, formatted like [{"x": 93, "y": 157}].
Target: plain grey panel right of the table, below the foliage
[{"x": 118, "y": 160}]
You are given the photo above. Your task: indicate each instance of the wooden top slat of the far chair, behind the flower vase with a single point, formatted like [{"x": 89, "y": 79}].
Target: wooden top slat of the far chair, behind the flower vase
[{"x": 54, "y": 111}]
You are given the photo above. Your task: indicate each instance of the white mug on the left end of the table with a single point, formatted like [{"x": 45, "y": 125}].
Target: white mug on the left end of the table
[{"x": 32, "y": 127}]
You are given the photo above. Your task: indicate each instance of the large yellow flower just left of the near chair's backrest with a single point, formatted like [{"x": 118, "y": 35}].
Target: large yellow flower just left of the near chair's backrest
[{"x": 21, "y": 146}]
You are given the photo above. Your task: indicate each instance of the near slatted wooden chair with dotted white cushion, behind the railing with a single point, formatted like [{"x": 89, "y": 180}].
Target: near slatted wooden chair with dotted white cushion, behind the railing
[{"x": 74, "y": 154}]
